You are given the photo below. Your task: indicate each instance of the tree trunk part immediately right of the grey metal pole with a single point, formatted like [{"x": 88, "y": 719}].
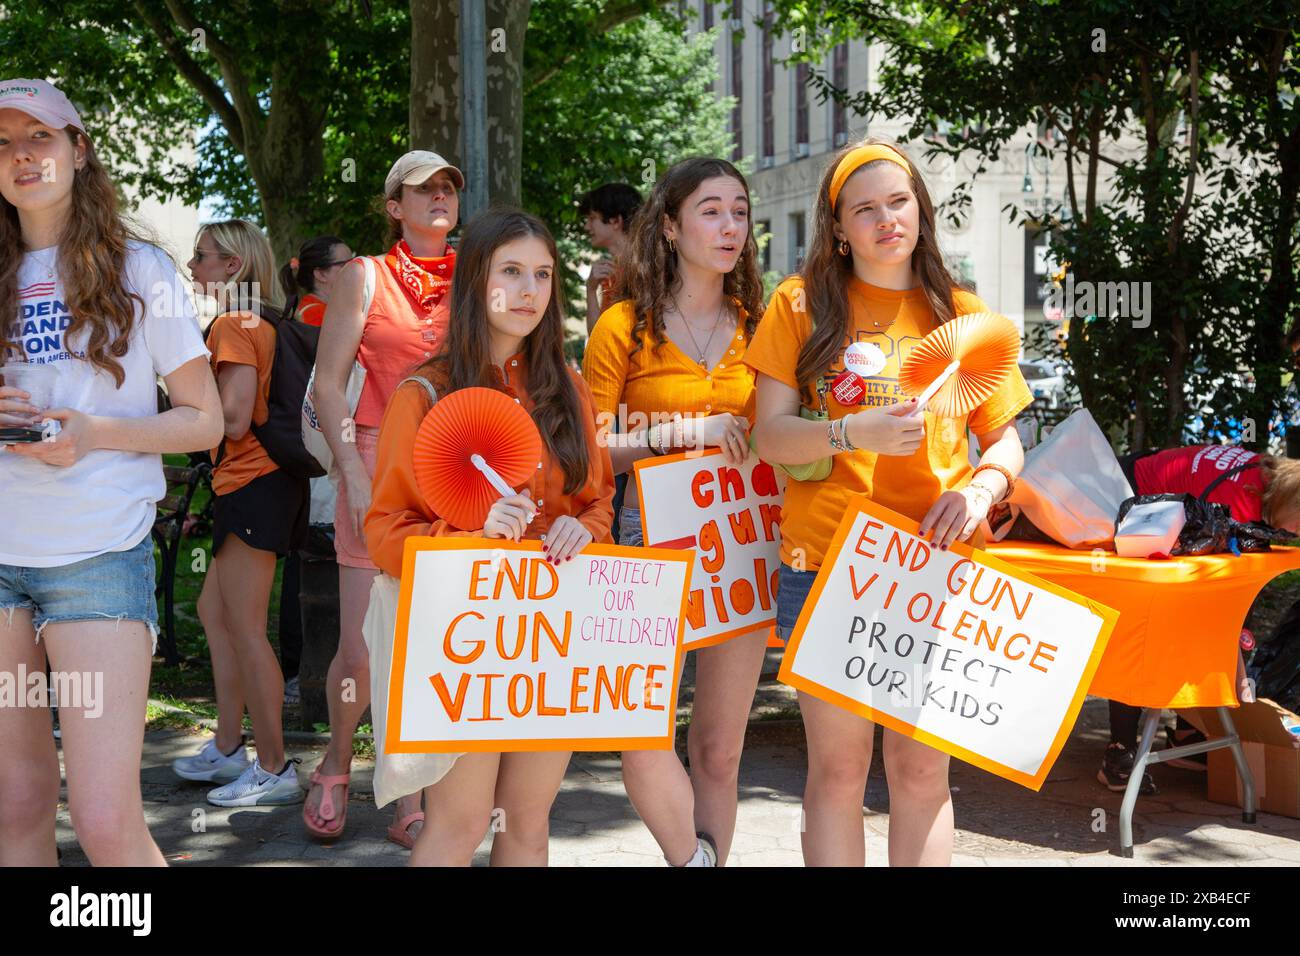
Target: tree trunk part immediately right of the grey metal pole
[{"x": 508, "y": 27}]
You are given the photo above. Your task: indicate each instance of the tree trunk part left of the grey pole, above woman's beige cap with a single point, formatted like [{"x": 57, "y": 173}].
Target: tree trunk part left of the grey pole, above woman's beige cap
[{"x": 435, "y": 115}]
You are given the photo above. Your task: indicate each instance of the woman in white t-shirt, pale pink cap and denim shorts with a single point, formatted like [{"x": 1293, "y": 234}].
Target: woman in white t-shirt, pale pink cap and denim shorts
[{"x": 76, "y": 555}]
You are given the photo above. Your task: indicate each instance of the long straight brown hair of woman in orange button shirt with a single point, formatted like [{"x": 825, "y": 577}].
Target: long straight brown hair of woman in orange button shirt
[{"x": 466, "y": 360}]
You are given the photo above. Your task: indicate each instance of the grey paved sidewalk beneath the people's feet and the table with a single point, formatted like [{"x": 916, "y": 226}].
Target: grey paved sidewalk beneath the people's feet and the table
[{"x": 593, "y": 824}]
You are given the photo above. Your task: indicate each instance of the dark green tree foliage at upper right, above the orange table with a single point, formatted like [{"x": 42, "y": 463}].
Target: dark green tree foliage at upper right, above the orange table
[{"x": 1181, "y": 129}]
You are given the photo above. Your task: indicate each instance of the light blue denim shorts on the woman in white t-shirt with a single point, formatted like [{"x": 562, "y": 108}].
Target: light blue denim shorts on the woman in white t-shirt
[{"x": 118, "y": 586}]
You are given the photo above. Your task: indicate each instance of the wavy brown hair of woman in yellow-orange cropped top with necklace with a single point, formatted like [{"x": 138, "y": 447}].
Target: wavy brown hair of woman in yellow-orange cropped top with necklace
[{"x": 649, "y": 267}]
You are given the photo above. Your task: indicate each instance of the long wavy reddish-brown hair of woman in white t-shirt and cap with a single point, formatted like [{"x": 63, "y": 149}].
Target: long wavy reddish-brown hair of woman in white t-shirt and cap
[{"x": 93, "y": 252}]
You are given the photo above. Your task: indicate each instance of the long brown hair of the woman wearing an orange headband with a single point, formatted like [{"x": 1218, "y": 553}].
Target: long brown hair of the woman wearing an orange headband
[{"x": 826, "y": 274}]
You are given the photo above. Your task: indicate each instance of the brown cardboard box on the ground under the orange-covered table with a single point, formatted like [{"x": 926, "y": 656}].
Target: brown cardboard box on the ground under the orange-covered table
[{"x": 1272, "y": 752}]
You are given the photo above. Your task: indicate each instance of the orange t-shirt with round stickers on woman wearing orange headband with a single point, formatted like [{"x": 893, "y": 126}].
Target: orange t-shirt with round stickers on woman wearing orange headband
[{"x": 907, "y": 485}]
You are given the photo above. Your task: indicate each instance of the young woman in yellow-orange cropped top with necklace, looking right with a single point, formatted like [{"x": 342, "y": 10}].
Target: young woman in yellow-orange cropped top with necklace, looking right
[{"x": 671, "y": 352}]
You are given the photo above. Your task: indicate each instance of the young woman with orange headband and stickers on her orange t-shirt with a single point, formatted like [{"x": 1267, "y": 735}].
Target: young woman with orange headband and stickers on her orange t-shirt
[{"x": 874, "y": 284}]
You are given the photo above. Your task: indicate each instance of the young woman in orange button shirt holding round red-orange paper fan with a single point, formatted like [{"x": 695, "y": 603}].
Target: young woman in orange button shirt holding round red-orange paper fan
[{"x": 508, "y": 332}]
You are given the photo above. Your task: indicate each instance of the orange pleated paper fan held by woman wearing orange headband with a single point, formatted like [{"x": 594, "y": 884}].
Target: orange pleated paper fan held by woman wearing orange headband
[{"x": 961, "y": 364}]
